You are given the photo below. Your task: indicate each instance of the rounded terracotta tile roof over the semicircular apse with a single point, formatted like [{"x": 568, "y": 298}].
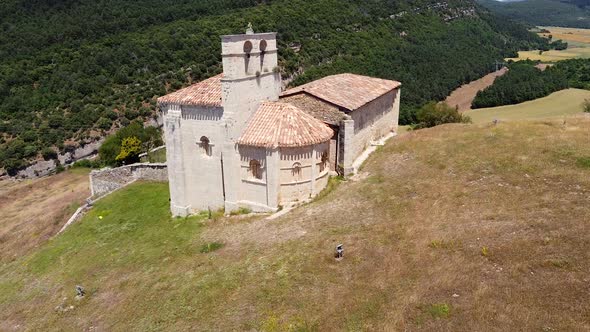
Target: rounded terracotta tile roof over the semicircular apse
[{"x": 277, "y": 124}]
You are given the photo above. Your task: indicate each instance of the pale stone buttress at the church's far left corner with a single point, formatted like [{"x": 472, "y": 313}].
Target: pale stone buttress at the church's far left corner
[{"x": 175, "y": 161}]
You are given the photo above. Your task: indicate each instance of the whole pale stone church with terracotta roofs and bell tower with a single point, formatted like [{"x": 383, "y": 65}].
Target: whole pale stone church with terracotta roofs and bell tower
[{"x": 235, "y": 140}]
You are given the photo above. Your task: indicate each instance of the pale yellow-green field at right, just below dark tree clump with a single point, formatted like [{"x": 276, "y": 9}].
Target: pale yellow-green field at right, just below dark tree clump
[{"x": 557, "y": 105}]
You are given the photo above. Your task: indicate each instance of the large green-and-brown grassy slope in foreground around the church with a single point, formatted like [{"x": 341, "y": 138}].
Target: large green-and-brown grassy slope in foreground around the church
[{"x": 518, "y": 189}]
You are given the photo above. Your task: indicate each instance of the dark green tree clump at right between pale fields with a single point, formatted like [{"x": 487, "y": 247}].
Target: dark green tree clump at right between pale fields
[{"x": 525, "y": 82}]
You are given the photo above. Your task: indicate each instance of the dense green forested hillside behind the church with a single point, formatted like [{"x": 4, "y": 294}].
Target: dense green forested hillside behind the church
[{"x": 75, "y": 70}]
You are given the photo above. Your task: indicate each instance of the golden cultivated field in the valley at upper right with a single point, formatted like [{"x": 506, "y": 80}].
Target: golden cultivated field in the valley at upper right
[{"x": 578, "y": 40}]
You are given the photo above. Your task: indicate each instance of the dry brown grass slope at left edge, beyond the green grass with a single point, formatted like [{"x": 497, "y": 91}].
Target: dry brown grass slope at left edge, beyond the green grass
[{"x": 32, "y": 211}]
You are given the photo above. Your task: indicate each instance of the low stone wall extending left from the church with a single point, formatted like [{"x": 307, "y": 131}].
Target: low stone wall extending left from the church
[{"x": 105, "y": 181}]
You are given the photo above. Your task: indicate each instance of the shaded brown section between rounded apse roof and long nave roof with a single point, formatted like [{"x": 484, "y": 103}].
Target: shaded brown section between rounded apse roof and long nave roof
[{"x": 319, "y": 109}]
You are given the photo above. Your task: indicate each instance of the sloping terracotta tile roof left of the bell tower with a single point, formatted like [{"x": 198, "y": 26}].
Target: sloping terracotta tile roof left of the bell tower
[{"x": 204, "y": 93}]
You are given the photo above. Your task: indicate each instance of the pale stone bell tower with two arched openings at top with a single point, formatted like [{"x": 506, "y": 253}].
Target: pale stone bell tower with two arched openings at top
[{"x": 250, "y": 77}]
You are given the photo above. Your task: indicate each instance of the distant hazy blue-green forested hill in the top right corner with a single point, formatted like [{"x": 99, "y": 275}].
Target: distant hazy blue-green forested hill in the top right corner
[{"x": 563, "y": 13}]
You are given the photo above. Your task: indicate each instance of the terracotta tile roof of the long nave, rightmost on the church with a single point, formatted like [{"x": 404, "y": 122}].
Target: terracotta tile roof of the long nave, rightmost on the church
[{"x": 349, "y": 91}]
